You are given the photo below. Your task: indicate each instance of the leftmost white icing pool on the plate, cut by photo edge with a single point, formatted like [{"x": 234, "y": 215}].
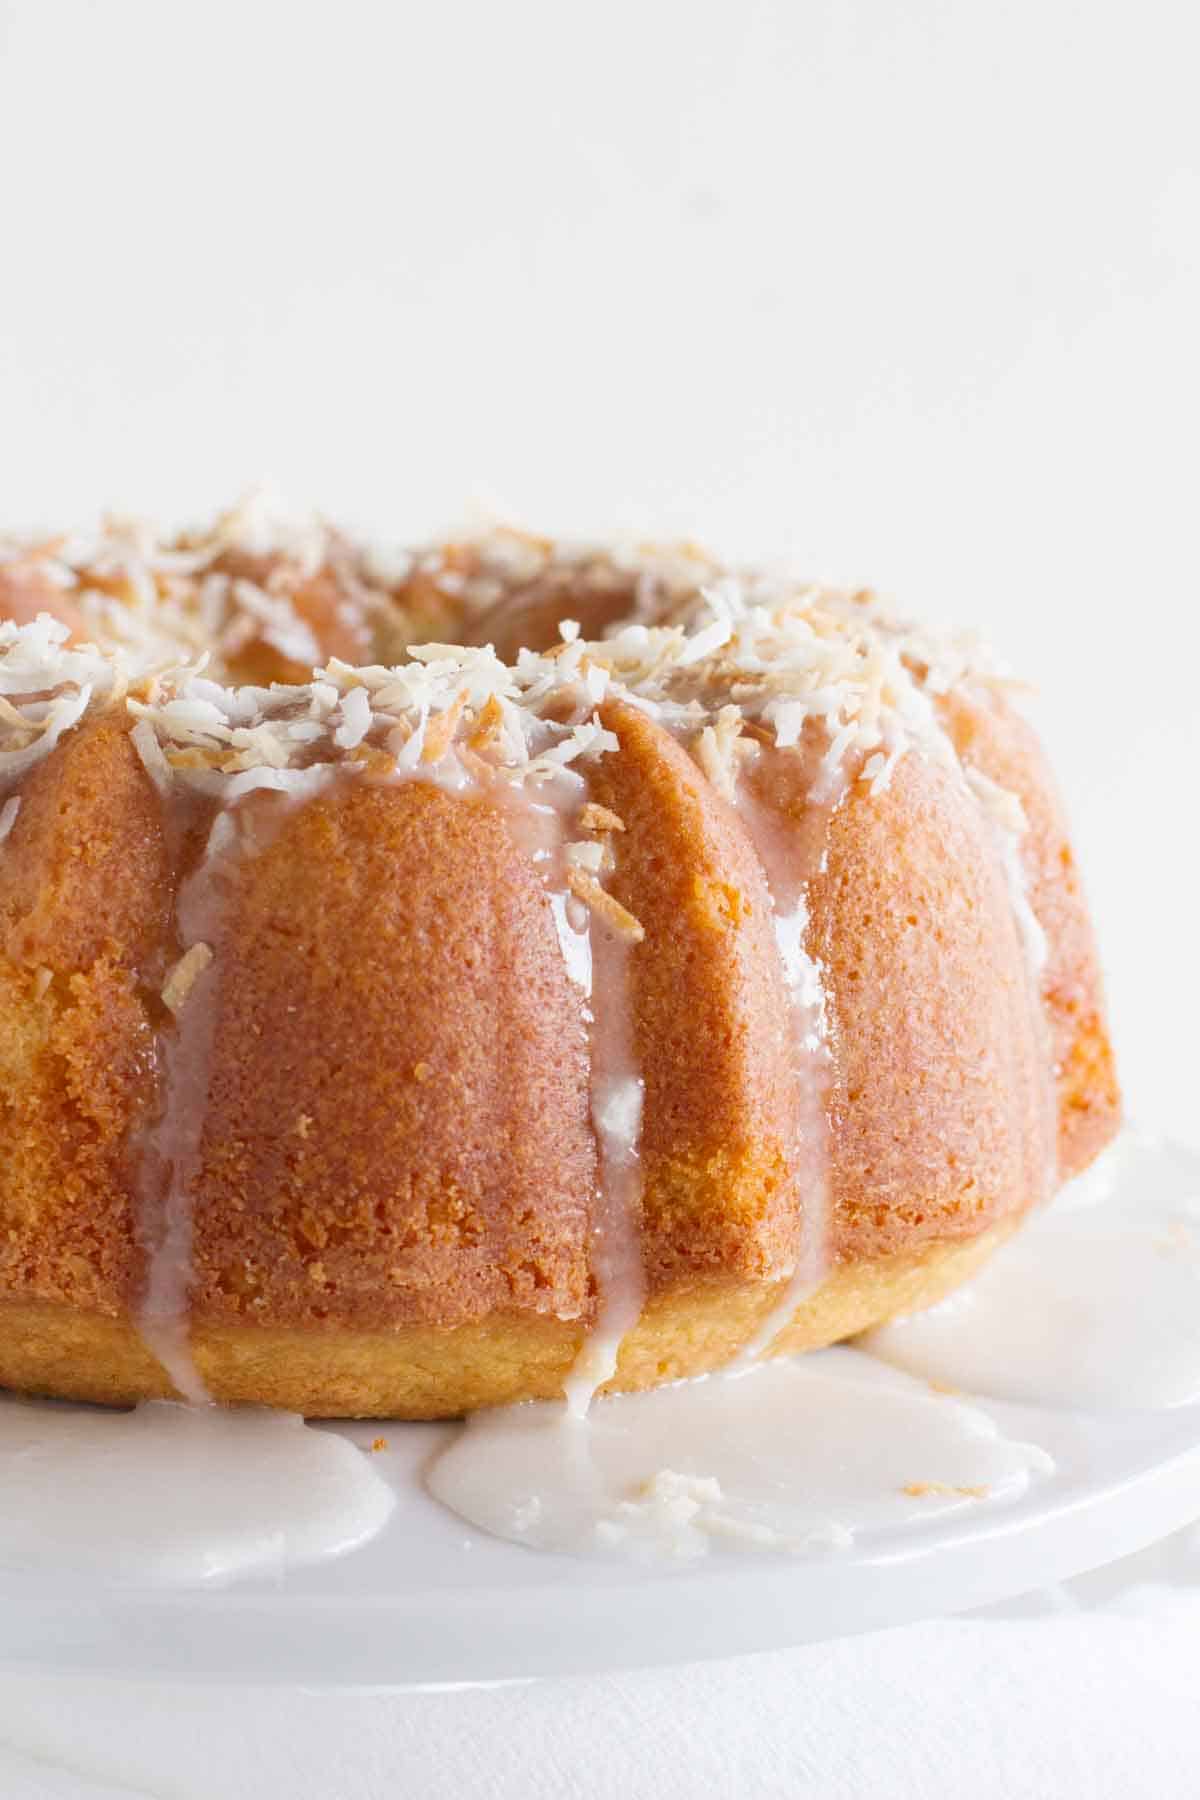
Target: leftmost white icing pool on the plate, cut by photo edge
[{"x": 179, "y": 1495}]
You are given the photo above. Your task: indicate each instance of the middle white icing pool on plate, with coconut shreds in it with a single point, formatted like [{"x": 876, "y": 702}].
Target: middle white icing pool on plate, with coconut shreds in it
[{"x": 801, "y": 1455}]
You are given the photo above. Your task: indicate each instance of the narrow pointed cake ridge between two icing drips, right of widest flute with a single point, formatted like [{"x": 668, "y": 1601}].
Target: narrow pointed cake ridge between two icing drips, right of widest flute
[{"x": 719, "y": 1140}]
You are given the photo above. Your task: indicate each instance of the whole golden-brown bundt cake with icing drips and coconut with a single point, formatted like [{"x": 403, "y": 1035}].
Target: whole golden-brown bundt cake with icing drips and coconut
[{"x": 503, "y": 971}]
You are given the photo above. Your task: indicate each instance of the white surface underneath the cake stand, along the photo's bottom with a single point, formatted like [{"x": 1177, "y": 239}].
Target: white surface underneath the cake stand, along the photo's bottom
[{"x": 1079, "y": 1695}]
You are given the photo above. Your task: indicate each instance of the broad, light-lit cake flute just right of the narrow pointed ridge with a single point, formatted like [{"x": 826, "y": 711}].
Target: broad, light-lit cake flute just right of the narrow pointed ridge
[{"x": 938, "y": 1068}]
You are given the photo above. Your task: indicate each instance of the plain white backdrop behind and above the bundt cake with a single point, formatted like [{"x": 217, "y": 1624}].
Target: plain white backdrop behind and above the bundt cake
[{"x": 908, "y": 291}]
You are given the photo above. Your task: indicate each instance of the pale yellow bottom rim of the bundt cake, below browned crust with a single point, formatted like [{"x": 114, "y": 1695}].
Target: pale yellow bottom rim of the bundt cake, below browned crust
[{"x": 438, "y": 1372}]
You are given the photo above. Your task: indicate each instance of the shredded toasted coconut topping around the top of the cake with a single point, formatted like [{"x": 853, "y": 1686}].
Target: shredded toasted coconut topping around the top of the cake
[{"x": 726, "y": 661}]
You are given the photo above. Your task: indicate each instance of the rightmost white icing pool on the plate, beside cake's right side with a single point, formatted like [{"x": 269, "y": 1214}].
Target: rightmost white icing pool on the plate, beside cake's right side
[{"x": 1097, "y": 1304}]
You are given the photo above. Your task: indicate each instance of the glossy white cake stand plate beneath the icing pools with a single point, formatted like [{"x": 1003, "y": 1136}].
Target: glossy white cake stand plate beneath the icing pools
[{"x": 433, "y": 1605}]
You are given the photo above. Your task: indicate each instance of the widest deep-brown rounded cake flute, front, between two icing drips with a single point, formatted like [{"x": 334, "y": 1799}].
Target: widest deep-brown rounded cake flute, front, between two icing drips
[{"x": 384, "y": 1142}]
